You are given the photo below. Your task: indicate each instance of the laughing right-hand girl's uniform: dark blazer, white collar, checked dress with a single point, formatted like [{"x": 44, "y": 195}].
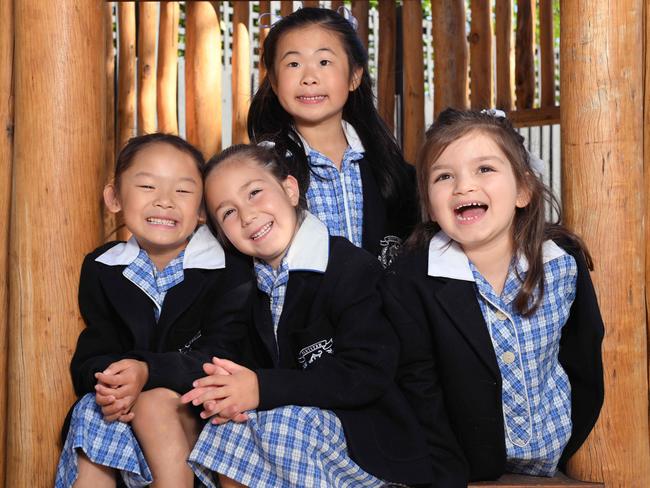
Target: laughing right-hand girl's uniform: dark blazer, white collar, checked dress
[{"x": 520, "y": 394}]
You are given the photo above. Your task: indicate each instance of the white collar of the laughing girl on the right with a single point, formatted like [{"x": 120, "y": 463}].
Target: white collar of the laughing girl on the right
[{"x": 447, "y": 259}]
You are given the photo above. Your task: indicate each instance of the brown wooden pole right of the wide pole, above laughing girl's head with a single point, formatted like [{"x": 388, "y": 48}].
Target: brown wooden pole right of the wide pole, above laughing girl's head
[{"x": 480, "y": 42}]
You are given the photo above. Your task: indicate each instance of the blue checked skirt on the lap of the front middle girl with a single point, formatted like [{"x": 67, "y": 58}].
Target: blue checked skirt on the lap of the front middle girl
[{"x": 285, "y": 447}]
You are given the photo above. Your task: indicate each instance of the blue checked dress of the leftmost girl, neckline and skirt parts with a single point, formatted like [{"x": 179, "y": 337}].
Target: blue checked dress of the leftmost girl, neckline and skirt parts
[{"x": 113, "y": 444}]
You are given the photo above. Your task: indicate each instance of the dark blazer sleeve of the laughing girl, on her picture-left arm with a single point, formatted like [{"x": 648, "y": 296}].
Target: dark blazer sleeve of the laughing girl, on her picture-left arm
[{"x": 418, "y": 379}]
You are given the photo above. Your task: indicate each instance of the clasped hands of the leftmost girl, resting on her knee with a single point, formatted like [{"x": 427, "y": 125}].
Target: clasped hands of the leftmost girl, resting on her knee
[{"x": 118, "y": 387}]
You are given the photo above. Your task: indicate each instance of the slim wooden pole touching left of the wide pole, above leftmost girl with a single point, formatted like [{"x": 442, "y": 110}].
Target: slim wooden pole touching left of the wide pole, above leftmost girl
[{"x": 167, "y": 75}]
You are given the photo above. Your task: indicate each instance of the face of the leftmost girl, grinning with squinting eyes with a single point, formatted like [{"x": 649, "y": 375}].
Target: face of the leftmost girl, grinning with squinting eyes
[{"x": 160, "y": 197}]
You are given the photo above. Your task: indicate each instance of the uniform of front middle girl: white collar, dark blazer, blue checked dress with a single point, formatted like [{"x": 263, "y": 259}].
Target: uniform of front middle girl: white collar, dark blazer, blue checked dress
[{"x": 329, "y": 412}]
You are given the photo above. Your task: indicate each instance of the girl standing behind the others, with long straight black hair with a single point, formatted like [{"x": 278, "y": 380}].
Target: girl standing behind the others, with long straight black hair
[{"x": 317, "y": 105}]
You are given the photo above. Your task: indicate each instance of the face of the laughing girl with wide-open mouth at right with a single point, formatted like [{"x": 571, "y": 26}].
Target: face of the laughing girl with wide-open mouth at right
[{"x": 473, "y": 193}]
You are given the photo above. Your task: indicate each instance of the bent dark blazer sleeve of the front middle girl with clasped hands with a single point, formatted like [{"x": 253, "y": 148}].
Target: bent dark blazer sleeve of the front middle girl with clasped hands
[{"x": 363, "y": 363}]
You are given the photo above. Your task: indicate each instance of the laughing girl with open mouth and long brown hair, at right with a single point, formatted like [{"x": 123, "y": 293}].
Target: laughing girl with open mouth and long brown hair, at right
[{"x": 500, "y": 300}]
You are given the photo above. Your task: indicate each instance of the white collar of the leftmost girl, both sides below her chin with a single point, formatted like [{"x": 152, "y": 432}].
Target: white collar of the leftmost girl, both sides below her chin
[{"x": 203, "y": 251}]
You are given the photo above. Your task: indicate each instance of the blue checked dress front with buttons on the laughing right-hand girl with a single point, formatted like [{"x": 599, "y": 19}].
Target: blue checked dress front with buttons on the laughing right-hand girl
[{"x": 536, "y": 393}]
